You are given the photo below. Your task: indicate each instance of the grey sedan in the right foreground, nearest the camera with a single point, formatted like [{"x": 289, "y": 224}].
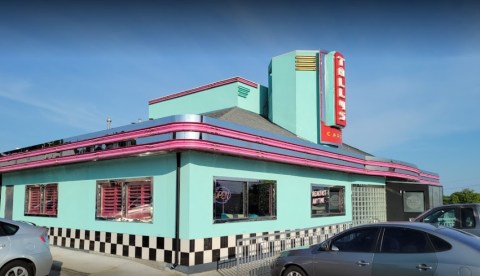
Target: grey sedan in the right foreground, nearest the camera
[{"x": 386, "y": 249}]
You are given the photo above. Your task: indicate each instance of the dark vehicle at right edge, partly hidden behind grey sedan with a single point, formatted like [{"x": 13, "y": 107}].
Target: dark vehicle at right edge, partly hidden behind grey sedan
[{"x": 461, "y": 216}]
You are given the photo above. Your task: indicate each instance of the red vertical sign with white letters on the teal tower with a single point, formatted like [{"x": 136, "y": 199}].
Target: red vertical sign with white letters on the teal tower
[{"x": 333, "y": 97}]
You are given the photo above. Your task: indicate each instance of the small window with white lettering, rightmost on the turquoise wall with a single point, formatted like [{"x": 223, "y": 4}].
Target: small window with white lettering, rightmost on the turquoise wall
[{"x": 320, "y": 194}]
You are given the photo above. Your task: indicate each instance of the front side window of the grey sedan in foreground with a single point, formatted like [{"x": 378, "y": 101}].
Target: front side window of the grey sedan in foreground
[{"x": 357, "y": 240}]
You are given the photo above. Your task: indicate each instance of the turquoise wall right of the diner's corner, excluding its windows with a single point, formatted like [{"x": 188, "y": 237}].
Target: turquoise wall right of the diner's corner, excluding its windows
[{"x": 293, "y": 194}]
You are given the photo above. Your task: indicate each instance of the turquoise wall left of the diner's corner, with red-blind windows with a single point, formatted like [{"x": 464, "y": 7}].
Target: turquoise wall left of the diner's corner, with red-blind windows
[{"x": 77, "y": 194}]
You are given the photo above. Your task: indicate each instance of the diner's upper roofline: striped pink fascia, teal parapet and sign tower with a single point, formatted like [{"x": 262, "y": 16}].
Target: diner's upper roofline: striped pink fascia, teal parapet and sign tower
[{"x": 305, "y": 96}]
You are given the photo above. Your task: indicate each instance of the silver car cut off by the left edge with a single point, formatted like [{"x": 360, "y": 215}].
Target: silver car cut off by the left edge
[{"x": 24, "y": 249}]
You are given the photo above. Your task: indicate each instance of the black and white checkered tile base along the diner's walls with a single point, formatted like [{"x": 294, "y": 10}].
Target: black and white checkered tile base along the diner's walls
[{"x": 192, "y": 252}]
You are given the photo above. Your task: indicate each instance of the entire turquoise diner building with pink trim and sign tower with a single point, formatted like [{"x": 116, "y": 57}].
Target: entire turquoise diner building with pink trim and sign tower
[{"x": 215, "y": 164}]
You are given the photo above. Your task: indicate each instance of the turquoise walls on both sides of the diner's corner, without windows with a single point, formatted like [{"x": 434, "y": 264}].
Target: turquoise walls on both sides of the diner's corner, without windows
[{"x": 77, "y": 194}]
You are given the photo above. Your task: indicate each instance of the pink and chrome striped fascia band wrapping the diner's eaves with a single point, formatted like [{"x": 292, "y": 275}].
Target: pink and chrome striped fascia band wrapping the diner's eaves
[{"x": 204, "y": 134}]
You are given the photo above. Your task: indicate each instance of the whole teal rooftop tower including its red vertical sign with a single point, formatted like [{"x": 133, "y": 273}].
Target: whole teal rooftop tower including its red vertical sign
[{"x": 307, "y": 95}]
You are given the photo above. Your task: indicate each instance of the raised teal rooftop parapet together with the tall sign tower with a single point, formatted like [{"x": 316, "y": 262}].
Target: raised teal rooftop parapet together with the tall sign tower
[{"x": 306, "y": 95}]
